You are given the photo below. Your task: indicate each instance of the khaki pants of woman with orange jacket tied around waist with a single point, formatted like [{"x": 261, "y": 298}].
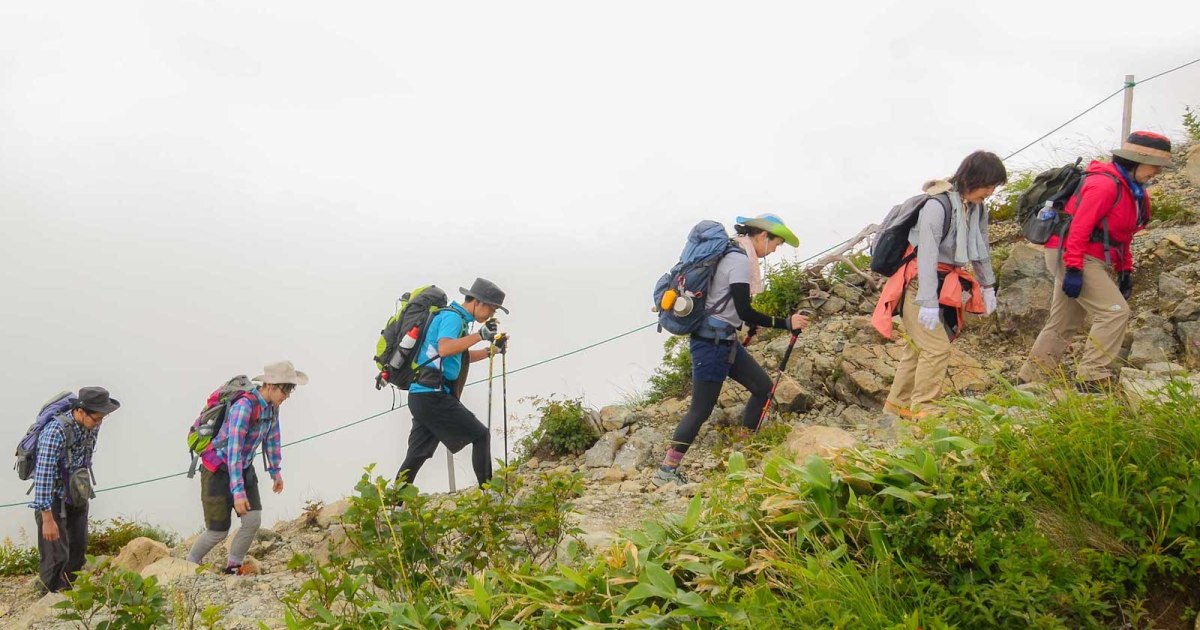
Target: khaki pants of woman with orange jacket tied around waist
[{"x": 927, "y": 355}]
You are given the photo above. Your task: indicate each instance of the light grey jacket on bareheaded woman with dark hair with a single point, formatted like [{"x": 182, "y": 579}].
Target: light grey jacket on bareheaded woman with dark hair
[{"x": 933, "y": 249}]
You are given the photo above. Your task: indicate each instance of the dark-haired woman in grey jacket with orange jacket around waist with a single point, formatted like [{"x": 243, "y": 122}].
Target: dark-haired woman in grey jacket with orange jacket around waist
[{"x": 950, "y": 236}]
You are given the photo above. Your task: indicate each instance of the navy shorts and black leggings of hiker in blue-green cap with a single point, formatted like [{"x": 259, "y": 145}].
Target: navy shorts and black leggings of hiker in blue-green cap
[{"x": 711, "y": 367}]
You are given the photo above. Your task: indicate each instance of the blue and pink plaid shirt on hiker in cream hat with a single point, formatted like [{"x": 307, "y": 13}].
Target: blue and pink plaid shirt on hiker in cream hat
[{"x": 237, "y": 442}]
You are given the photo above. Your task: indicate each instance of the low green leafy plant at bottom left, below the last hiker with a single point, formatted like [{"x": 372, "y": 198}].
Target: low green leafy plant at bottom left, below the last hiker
[{"x": 110, "y": 597}]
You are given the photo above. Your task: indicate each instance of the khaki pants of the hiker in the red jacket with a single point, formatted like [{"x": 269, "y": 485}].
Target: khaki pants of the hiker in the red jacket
[{"x": 1103, "y": 302}]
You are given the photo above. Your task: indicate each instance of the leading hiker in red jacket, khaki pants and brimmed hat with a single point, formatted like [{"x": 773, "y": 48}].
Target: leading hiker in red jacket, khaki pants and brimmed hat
[{"x": 1111, "y": 207}]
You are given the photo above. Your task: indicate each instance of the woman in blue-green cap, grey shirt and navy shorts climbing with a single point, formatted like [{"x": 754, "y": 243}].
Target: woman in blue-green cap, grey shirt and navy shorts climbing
[{"x": 717, "y": 353}]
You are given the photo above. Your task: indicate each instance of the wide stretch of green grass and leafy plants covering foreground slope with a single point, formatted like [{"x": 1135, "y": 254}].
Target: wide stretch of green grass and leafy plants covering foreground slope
[{"x": 1029, "y": 514}]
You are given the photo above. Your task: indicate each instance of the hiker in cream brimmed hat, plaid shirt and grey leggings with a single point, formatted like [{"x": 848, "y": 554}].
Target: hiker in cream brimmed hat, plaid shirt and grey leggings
[{"x": 229, "y": 482}]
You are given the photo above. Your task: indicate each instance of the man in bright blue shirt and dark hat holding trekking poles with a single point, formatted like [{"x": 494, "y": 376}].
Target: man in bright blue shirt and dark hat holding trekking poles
[{"x": 439, "y": 416}]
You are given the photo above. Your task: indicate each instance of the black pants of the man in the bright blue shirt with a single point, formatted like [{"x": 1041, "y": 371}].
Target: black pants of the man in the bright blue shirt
[{"x": 441, "y": 418}]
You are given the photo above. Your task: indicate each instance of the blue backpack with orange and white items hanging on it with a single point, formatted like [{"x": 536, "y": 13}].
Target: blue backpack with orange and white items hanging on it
[{"x": 681, "y": 295}]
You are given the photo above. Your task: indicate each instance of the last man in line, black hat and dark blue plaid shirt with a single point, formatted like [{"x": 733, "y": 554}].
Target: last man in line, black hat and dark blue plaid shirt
[{"x": 63, "y": 485}]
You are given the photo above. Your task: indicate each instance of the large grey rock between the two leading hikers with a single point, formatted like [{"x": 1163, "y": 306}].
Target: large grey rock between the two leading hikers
[{"x": 1024, "y": 299}]
